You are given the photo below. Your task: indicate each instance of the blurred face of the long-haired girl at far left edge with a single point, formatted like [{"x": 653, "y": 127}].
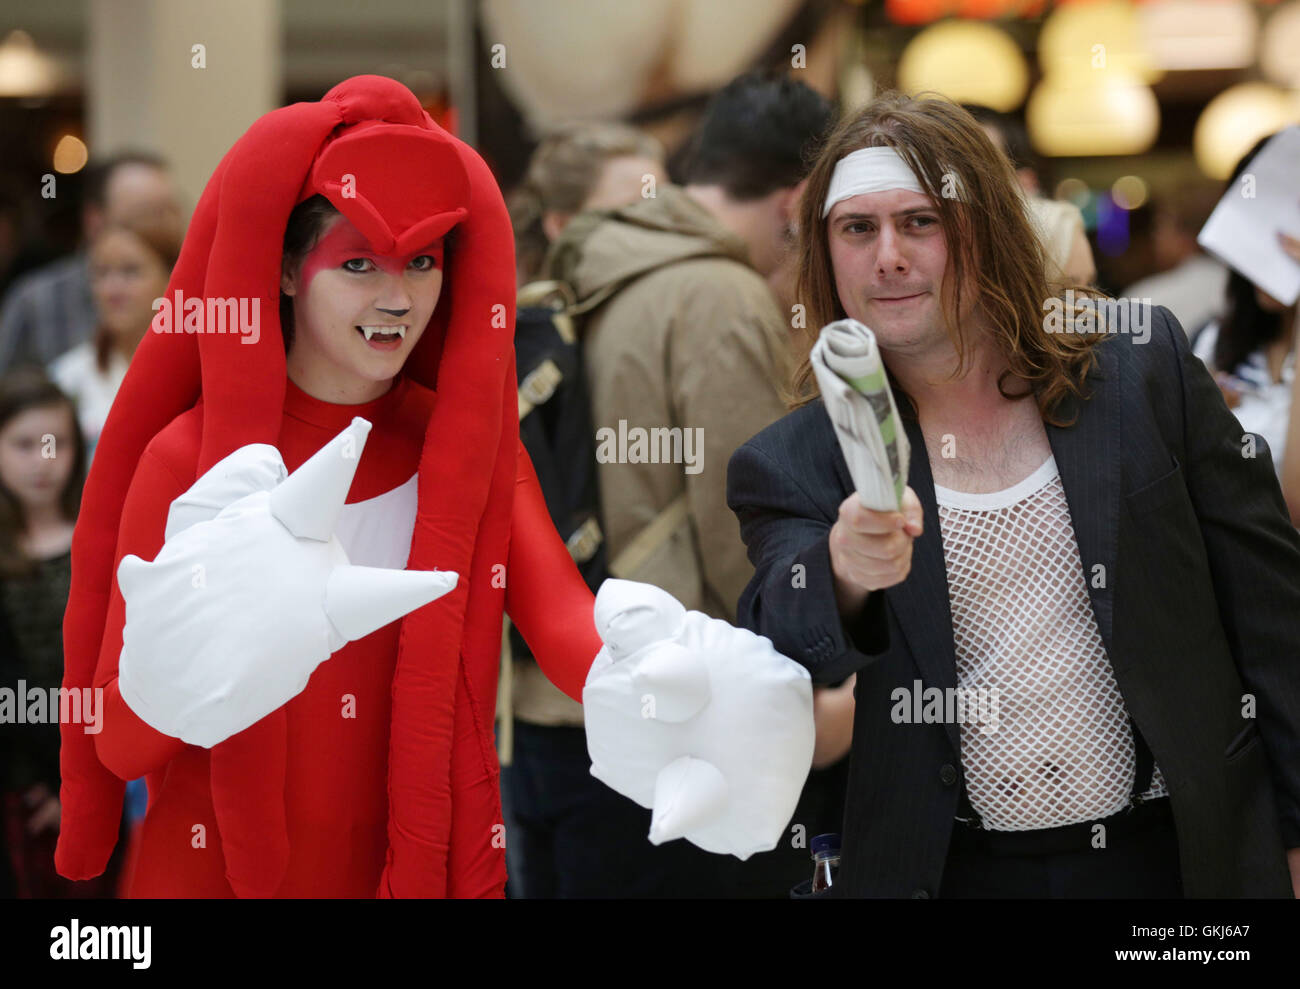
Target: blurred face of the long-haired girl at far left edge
[{"x": 37, "y": 452}]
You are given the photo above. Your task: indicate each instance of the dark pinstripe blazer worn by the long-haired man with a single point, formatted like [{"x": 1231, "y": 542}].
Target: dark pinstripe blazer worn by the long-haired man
[{"x": 1199, "y": 606}]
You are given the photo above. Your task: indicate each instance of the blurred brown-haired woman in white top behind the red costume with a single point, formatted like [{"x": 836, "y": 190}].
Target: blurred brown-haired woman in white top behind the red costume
[{"x": 129, "y": 268}]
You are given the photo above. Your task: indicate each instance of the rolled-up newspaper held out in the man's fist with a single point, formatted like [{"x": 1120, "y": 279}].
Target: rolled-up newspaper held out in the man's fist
[{"x": 863, "y": 409}]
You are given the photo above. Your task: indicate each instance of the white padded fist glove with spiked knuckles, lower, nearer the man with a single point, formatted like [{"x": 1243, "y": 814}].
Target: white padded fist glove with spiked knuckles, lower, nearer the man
[{"x": 704, "y": 723}]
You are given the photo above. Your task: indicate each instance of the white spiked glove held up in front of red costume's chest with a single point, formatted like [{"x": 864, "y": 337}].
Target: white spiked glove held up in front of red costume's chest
[{"x": 252, "y": 592}]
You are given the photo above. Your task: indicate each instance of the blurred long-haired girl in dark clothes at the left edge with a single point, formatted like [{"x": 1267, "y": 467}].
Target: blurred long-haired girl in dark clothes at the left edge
[{"x": 42, "y": 467}]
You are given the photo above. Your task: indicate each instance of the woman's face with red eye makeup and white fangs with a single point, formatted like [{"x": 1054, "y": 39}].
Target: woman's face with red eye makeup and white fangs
[{"x": 358, "y": 314}]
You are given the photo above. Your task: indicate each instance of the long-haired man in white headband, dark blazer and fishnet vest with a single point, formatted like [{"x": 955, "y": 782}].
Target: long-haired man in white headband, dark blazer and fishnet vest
[{"x": 1089, "y": 543}]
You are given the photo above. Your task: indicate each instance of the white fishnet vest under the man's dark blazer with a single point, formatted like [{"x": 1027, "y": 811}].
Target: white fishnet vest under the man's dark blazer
[{"x": 1063, "y": 751}]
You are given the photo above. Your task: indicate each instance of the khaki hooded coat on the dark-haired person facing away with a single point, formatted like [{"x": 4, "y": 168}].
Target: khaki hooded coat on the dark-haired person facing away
[{"x": 690, "y": 358}]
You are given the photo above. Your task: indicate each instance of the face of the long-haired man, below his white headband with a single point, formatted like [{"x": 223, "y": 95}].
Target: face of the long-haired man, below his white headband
[{"x": 890, "y": 257}]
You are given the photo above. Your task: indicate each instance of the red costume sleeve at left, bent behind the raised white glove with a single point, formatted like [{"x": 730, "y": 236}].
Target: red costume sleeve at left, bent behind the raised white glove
[{"x": 127, "y": 745}]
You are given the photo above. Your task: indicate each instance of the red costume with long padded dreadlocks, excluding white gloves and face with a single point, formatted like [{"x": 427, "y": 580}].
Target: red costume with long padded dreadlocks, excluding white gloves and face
[{"x": 193, "y": 398}]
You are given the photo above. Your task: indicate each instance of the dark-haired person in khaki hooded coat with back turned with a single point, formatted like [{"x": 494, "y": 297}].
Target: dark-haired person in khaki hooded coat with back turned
[{"x": 687, "y": 357}]
